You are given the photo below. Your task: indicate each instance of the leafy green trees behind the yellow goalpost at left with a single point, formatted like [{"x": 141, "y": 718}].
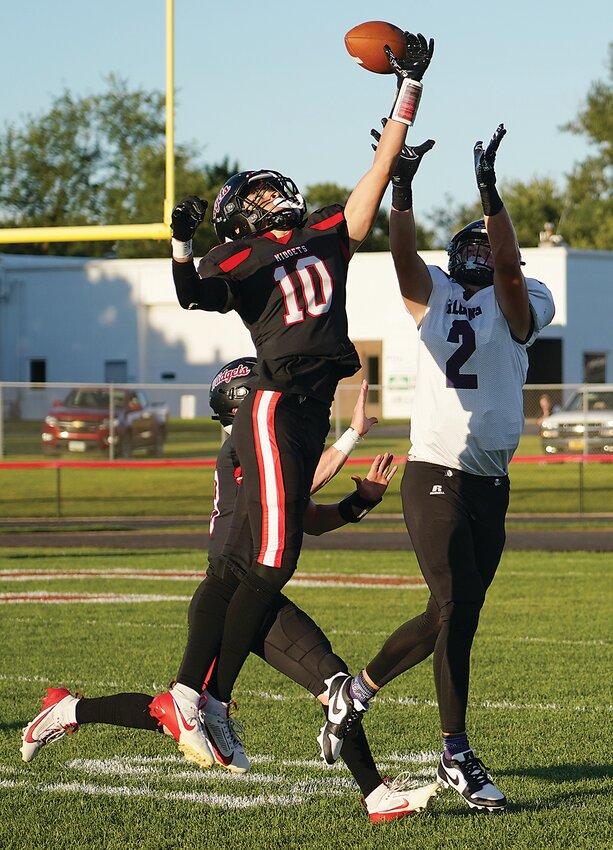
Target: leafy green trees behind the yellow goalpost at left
[{"x": 97, "y": 160}]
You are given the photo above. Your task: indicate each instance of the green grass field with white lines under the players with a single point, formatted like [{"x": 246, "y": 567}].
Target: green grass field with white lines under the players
[{"x": 539, "y": 712}]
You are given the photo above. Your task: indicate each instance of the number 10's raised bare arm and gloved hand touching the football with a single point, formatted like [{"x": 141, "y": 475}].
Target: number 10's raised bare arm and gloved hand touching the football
[{"x": 364, "y": 202}]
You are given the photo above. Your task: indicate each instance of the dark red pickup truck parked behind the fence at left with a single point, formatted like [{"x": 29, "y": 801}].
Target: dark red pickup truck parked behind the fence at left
[{"x": 91, "y": 419}]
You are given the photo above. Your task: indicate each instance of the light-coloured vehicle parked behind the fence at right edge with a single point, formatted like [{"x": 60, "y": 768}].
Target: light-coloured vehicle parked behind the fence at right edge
[{"x": 583, "y": 425}]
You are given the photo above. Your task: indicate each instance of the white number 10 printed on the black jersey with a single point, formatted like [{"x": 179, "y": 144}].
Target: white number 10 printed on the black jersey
[{"x": 316, "y": 286}]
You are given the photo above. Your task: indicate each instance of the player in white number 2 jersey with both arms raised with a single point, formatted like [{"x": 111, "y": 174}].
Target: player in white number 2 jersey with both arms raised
[{"x": 475, "y": 325}]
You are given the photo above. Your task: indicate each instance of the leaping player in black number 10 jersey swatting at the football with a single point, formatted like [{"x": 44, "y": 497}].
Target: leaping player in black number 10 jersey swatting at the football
[{"x": 285, "y": 274}]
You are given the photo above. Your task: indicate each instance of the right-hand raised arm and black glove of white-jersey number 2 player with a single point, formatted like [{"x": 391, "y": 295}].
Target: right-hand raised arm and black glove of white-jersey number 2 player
[{"x": 509, "y": 281}]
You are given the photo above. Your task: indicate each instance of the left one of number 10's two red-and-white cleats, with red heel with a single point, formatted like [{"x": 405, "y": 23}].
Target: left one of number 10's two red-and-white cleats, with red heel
[{"x": 179, "y": 718}]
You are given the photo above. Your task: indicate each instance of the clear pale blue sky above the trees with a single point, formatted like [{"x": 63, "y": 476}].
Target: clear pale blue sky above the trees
[{"x": 270, "y": 84}]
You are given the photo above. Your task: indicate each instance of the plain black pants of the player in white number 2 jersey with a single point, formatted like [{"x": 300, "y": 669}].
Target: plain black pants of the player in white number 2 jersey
[{"x": 456, "y": 524}]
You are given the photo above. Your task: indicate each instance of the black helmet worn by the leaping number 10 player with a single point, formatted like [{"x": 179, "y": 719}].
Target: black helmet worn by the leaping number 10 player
[{"x": 235, "y": 215}]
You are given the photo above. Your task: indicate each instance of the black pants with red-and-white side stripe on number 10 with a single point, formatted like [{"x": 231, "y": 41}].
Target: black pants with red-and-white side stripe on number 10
[{"x": 279, "y": 438}]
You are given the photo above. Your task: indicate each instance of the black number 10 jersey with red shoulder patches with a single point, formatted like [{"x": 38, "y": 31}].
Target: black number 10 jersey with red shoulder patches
[{"x": 291, "y": 295}]
